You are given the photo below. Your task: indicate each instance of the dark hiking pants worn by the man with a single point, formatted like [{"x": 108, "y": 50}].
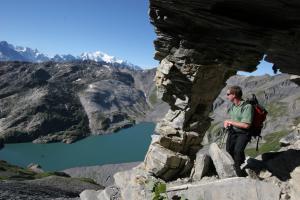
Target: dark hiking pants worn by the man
[{"x": 235, "y": 146}]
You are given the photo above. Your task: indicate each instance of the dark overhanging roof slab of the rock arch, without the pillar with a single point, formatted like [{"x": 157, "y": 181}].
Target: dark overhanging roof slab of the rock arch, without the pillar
[{"x": 233, "y": 33}]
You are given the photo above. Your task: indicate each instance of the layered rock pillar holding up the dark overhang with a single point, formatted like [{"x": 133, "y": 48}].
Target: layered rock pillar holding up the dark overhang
[{"x": 181, "y": 130}]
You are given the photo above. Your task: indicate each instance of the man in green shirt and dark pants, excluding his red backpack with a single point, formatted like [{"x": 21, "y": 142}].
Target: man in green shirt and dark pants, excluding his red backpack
[{"x": 241, "y": 116}]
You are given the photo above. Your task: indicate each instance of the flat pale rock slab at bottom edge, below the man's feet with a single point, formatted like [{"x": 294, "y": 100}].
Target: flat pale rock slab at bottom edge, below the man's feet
[{"x": 227, "y": 189}]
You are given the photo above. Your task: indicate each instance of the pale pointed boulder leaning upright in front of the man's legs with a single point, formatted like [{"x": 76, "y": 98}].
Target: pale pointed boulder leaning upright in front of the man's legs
[{"x": 223, "y": 162}]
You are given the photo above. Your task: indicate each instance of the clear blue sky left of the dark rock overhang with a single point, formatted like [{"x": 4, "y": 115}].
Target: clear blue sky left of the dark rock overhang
[{"x": 117, "y": 27}]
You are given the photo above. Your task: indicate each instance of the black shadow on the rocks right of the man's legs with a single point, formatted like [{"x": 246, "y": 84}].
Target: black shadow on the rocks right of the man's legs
[{"x": 280, "y": 164}]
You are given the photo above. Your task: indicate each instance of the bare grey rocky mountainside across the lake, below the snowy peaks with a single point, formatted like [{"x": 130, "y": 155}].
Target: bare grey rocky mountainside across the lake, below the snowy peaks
[{"x": 49, "y": 102}]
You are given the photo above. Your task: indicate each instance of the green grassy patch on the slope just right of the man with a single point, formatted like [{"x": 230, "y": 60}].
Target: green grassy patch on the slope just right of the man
[{"x": 271, "y": 144}]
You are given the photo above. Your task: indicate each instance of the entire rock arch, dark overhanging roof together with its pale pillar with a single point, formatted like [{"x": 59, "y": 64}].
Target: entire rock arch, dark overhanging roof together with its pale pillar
[{"x": 199, "y": 45}]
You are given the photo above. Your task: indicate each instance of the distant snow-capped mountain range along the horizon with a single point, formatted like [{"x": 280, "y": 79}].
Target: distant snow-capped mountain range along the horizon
[{"x": 9, "y": 52}]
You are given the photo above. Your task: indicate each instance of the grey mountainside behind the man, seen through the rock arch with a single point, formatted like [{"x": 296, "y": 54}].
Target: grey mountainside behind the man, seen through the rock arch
[{"x": 278, "y": 94}]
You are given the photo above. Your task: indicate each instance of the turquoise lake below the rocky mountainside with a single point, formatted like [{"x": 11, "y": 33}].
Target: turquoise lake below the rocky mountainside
[{"x": 126, "y": 145}]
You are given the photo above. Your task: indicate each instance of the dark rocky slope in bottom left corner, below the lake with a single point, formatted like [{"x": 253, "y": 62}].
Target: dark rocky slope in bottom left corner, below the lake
[{"x": 26, "y": 183}]
